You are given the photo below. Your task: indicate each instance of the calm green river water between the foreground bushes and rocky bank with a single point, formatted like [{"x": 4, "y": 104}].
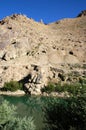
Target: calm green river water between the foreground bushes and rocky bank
[{"x": 29, "y": 106}]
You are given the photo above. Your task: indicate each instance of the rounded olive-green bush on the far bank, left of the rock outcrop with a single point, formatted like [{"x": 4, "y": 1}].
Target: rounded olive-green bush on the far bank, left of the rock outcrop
[{"x": 12, "y": 86}]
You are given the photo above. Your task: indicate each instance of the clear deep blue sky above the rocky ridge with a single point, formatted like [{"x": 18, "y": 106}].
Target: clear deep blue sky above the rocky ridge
[{"x": 48, "y": 10}]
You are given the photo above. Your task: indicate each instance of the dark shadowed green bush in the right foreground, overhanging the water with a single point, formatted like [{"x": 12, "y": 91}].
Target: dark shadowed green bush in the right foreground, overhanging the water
[{"x": 65, "y": 114}]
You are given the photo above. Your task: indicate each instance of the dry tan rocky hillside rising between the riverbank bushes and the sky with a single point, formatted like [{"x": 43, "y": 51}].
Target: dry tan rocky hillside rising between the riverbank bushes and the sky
[{"x": 34, "y": 53}]
